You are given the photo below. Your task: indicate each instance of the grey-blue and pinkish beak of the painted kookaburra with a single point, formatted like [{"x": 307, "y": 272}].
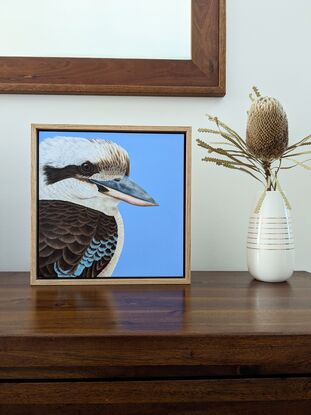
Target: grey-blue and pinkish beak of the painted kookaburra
[{"x": 125, "y": 189}]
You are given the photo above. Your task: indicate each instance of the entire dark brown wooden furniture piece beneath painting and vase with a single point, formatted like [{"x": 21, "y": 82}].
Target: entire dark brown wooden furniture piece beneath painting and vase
[{"x": 224, "y": 345}]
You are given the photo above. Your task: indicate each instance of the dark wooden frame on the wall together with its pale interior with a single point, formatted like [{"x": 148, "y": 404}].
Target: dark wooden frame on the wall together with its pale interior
[{"x": 57, "y": 47}]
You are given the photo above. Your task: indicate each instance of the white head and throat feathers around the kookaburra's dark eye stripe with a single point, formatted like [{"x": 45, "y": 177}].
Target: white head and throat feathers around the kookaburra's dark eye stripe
[{"x": 62, "y": 151}]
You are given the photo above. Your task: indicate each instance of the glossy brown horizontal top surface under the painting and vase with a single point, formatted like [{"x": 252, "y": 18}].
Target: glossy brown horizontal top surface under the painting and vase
[{"x": 216, "y": 303}]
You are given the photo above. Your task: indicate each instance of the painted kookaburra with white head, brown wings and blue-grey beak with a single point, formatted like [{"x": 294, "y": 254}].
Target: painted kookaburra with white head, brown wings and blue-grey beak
[{"x": 81, "y": 182}]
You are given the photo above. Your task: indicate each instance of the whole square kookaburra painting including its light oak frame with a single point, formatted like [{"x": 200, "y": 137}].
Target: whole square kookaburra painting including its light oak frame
[{"x": 110, "y": 204}]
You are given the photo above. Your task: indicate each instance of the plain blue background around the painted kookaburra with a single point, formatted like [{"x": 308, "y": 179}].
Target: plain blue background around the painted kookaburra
[{"x": 153, "y": 244}]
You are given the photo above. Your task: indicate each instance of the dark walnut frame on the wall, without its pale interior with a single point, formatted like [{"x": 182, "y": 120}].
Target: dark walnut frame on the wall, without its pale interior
[{"x": 203, "y": 75}]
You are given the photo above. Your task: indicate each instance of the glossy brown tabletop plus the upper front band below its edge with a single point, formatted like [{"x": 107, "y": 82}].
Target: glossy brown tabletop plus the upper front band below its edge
[{"x": 222, "y": 319}]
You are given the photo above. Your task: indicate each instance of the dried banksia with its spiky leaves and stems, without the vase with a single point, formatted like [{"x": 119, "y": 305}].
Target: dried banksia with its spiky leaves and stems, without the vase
[{"x": 265, "y": 151}]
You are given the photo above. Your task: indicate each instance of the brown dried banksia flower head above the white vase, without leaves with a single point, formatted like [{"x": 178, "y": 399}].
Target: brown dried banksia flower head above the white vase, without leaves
[{"x": 267, "y": 129}]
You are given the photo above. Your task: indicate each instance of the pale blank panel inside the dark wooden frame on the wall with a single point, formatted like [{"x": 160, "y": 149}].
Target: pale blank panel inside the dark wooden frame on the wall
[{"x": 143, "y": 29}]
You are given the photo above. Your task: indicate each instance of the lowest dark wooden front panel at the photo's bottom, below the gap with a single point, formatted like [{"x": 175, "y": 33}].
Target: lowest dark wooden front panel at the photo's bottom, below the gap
[{"x": 158, "y": 397}]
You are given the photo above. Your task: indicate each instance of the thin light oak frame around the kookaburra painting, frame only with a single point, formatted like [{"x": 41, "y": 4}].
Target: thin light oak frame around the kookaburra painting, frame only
[{"x": 35, "y": 128}]
